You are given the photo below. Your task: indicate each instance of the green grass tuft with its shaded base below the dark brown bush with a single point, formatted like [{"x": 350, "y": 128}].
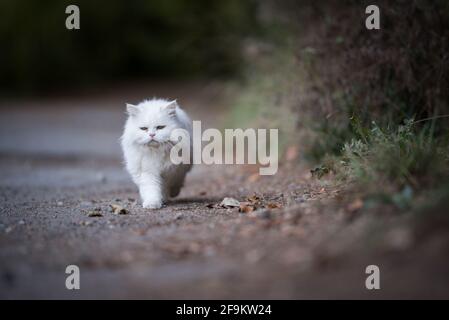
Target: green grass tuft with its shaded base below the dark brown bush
[{"x": 395, "y": 164}]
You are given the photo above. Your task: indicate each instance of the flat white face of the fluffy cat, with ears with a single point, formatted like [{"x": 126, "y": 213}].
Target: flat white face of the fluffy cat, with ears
[{"x": 151, "y": 123}]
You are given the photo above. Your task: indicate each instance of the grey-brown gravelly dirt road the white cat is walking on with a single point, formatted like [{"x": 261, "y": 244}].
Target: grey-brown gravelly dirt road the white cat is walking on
[{"x": 60, "y": 159}]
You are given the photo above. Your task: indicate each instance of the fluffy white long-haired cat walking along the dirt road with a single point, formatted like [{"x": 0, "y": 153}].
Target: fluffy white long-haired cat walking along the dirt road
[{"x": 146, "y": 146}]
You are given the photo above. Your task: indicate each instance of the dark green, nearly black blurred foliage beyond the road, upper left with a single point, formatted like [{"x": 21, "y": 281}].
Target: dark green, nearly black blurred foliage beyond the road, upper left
[{"x": 119, "y": 39}]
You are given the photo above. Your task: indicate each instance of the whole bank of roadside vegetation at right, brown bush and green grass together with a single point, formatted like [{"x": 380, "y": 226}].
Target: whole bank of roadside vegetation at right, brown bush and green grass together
[{"x": 368, "y": 106}]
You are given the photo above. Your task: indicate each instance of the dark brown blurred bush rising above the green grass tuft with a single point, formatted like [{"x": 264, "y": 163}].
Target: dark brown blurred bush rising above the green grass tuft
[{"x": 355, "y": 76}]
